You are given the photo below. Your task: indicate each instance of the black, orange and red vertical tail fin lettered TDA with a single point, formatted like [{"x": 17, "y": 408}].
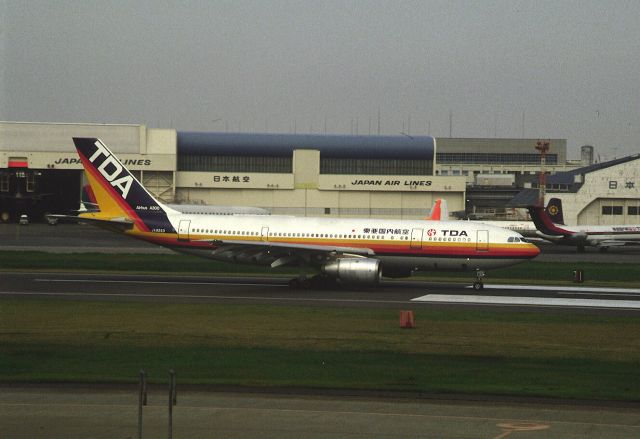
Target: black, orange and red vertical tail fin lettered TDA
[{"x": 117, "y": 192}]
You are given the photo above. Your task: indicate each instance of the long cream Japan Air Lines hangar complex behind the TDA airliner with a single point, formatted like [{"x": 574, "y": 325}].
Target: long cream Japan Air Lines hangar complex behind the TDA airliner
[{"x": 296, "y": 174}]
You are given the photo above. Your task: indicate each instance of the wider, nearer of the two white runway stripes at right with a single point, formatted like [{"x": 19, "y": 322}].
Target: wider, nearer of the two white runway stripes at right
[{"x": 527, "y": 301}]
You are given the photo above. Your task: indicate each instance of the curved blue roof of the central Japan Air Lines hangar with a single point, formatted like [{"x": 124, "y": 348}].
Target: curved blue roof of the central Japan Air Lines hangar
[{"x": 333, "y": 146}]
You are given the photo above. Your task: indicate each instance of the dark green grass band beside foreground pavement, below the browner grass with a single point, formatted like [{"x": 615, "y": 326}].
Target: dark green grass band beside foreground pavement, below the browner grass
[{"x": 263, "y": 367}]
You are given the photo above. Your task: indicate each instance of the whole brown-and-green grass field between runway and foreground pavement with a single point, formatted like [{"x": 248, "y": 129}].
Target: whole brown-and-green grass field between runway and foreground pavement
[{"x": 463, "y": 351}]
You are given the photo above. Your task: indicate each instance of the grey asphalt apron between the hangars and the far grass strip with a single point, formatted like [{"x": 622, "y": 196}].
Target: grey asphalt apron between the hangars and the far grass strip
[{"x": 82, "y": 238}]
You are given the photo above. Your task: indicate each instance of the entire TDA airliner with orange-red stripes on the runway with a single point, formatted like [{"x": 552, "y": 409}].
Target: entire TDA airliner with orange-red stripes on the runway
[{"x": 351, "y": 251}]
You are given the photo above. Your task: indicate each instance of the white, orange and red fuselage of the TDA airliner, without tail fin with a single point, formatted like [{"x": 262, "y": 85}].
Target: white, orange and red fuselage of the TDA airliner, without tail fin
[{"x": 401, "y": 246}]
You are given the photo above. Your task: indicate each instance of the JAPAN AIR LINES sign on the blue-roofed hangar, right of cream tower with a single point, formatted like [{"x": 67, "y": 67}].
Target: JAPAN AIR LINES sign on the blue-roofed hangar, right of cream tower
[{"x": 409, "y": 183}]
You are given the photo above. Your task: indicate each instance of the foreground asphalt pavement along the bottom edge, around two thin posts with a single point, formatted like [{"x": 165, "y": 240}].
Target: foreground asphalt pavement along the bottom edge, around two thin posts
[{"x": 82, "y": 412}]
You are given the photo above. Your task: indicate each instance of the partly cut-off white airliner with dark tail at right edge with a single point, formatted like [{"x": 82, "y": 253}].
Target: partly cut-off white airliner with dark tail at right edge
[{"x": 601, "y": 237}]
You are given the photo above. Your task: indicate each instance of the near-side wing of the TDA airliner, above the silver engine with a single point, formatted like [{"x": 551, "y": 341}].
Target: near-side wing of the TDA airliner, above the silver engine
[{"x": 278, "y": 254}]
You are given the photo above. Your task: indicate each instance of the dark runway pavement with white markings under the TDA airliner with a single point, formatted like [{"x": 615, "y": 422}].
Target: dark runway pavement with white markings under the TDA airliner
[{"x": 267, "y": 290}]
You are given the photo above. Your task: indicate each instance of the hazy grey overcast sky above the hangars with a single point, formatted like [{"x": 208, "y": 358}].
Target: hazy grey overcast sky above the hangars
[{"x": 549, "y": 69}]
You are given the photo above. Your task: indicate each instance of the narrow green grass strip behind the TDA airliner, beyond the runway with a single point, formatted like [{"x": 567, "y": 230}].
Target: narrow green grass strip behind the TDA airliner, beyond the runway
[{"x": 595, "y": 272}]
